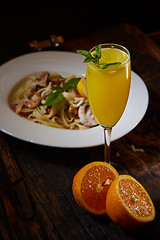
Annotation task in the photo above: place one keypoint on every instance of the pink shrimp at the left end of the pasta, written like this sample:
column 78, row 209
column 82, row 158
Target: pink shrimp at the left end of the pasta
column 31, row 101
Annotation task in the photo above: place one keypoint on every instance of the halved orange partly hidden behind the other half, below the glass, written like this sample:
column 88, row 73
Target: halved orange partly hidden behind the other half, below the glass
column 91, row 184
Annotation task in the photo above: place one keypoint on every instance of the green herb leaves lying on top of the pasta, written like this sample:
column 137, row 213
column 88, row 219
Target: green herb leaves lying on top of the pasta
column 57, row 96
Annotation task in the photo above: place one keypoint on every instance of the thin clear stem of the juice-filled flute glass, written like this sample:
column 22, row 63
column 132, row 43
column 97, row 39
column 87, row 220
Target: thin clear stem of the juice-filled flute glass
column 107, row 142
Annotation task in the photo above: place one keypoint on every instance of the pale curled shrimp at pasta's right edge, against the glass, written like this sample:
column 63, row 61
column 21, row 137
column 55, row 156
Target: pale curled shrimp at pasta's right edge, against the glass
column 86, row 116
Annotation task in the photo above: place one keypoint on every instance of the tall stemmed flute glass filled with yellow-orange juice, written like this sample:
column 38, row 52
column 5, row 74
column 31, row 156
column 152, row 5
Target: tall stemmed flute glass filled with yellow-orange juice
column 108, row 88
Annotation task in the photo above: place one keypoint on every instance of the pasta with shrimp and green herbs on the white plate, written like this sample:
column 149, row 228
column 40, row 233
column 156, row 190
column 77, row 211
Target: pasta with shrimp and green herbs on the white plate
column 52, row 100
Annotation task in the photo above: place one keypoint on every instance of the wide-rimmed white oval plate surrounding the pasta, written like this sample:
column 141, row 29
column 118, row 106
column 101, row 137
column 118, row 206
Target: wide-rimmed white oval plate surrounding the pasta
column 65, row 63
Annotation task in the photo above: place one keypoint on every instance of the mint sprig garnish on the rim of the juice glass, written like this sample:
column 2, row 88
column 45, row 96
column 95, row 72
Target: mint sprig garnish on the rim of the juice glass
column 96, row 57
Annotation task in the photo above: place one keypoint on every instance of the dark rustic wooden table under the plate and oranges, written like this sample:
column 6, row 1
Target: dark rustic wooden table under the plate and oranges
column 36, row 200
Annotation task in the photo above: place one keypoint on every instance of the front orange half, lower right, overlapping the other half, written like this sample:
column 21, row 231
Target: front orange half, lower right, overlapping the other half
column 128, row 203
